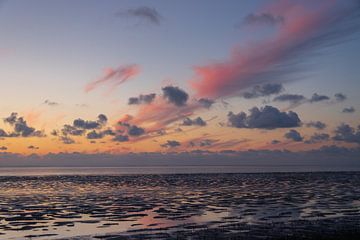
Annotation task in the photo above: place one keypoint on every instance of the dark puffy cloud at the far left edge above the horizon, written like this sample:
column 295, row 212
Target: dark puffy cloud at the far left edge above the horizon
column 21, row 128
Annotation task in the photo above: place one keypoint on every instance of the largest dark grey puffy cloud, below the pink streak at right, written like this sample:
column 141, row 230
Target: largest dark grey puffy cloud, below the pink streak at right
column 267, row 117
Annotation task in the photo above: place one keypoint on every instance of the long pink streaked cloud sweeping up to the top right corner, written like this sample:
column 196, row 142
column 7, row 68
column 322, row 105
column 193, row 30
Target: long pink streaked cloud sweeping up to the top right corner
column 309, row 28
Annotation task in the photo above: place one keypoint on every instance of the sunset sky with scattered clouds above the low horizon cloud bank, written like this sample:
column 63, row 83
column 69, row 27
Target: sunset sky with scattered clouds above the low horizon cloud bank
column 172, row 77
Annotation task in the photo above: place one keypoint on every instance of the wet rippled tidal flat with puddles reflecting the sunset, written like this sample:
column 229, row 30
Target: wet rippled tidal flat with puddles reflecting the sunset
column 181, row 206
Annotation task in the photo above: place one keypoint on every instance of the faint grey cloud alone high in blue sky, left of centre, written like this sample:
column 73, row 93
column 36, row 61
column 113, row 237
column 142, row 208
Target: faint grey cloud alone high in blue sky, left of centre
column 148, row 14
